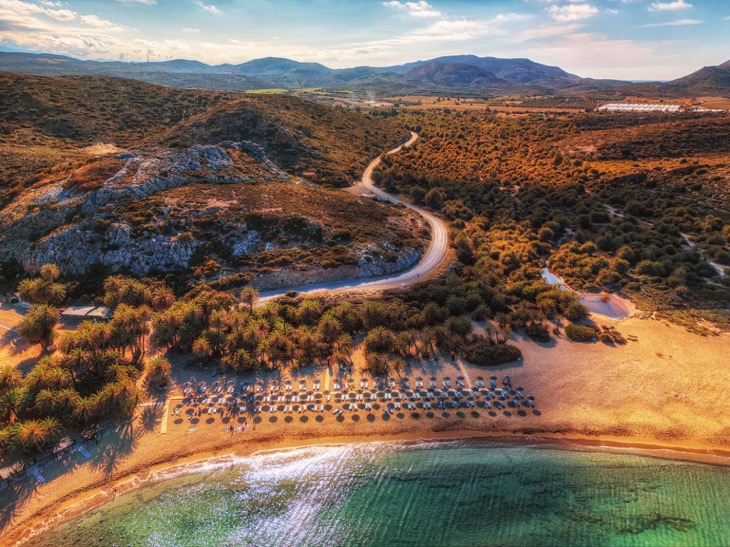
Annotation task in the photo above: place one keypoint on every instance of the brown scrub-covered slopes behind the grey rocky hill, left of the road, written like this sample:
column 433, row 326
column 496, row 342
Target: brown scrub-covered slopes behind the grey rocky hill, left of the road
column 42, row 116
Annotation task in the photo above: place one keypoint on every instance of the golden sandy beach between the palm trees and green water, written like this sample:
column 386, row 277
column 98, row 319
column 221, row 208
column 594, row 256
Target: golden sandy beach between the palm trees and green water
column 664, row 393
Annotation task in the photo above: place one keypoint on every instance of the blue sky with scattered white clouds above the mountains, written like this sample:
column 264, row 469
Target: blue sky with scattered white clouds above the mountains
column 623, row 39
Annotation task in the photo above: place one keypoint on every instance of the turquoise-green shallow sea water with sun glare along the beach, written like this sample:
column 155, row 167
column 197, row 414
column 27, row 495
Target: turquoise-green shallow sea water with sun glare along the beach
column 455, row 493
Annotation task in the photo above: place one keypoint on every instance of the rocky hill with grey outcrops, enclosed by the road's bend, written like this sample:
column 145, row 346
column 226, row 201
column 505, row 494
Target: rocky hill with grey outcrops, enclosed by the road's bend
column 218, row 212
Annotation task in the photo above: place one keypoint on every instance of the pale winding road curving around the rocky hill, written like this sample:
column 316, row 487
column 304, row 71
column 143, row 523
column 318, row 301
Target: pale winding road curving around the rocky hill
column 431, row 259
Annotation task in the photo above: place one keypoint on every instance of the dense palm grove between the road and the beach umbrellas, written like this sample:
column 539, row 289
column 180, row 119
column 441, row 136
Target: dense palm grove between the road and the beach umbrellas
column 99, row 369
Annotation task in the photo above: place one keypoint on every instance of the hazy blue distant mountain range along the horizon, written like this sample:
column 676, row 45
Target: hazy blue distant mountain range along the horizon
column 458, row 74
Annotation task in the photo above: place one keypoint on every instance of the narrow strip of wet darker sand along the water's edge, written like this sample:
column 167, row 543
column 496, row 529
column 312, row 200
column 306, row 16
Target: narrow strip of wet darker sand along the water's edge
column 77, row 503
